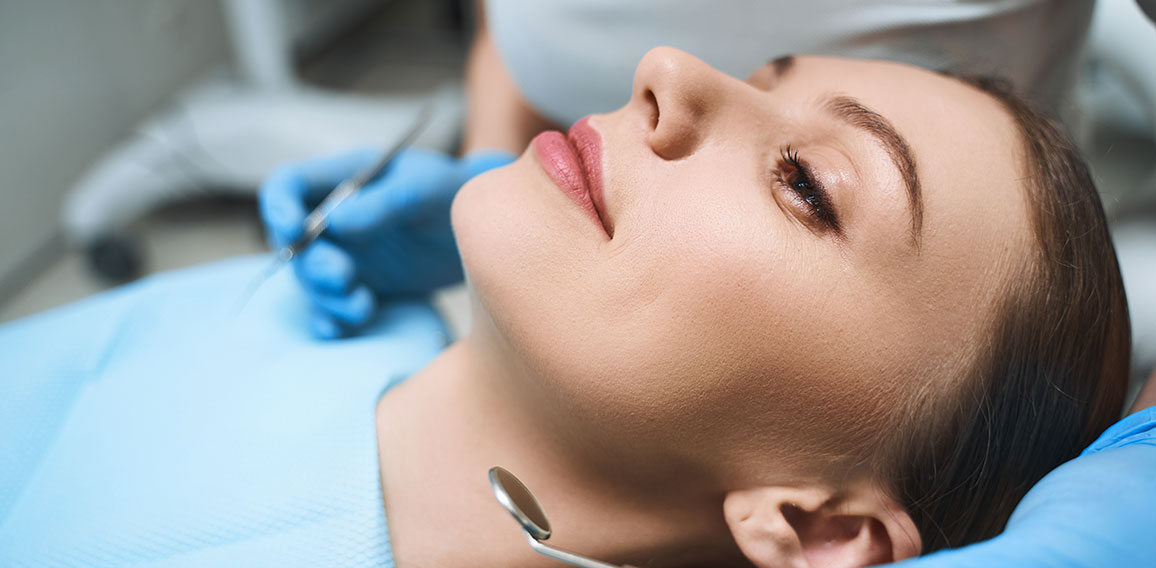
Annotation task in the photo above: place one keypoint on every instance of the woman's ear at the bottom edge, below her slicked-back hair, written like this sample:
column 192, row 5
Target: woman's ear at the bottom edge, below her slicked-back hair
column 817, row 527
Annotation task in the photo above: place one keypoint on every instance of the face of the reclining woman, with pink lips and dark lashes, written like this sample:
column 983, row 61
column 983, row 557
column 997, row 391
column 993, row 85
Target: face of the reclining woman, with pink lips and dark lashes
column 773, row 267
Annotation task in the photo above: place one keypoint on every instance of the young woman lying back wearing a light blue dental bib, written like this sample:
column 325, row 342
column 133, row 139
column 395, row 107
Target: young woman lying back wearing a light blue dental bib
column 839, row 314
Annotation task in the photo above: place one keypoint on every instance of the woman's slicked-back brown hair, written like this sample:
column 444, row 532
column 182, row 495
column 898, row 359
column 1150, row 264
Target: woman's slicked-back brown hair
column 1055, row 373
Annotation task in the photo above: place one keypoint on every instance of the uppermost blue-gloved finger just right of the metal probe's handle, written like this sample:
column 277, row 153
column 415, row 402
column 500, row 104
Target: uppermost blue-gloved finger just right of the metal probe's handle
column 410, row 185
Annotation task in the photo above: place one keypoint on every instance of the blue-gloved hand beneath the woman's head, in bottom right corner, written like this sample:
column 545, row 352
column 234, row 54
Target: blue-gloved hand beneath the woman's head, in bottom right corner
column 1098, row 511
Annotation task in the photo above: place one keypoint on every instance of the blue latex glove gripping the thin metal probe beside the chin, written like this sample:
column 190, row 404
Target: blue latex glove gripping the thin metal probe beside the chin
column 392, row 239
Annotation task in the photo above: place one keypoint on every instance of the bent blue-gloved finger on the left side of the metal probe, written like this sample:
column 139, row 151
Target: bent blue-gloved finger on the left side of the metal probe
column 291, row 191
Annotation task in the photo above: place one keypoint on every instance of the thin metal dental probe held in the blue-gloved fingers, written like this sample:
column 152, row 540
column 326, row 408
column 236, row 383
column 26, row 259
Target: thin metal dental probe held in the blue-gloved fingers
column 318, row 219
